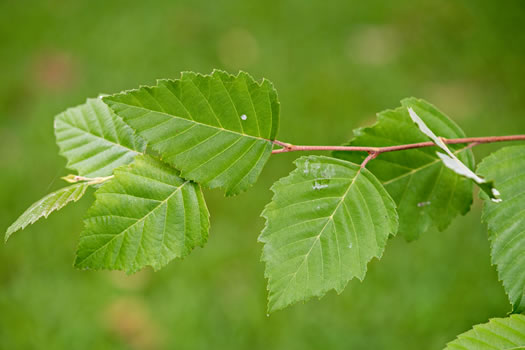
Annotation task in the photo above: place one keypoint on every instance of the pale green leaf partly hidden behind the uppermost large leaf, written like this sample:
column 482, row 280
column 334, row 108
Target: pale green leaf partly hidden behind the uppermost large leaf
column 94, row 140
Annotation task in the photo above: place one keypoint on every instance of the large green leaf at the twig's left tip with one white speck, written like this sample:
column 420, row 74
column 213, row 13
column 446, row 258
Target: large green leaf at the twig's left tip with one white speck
column 217, row 129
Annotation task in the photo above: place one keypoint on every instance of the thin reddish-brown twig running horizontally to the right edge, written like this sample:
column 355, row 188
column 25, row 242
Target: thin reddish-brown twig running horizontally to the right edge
column 472, row 141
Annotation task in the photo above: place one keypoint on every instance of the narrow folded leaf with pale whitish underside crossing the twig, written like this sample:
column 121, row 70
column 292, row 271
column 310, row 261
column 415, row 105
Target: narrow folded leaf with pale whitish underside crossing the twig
column 452, row 162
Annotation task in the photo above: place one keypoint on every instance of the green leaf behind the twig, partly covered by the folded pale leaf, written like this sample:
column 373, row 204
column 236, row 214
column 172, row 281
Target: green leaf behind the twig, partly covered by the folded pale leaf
column 426, row 192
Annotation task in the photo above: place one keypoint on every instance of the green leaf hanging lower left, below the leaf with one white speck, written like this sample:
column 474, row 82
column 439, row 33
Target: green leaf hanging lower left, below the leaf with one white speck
column 146, row 215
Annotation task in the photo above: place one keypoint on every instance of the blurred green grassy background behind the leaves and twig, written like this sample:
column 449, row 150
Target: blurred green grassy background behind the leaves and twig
column 335, row 64
